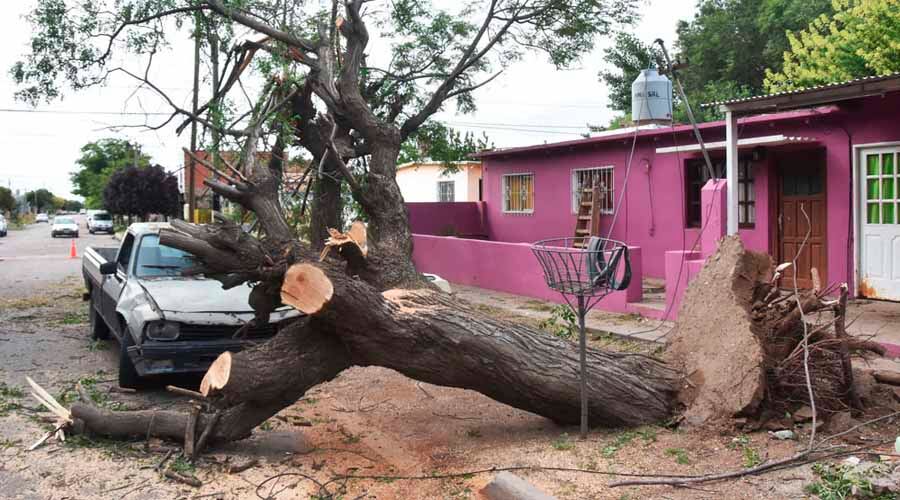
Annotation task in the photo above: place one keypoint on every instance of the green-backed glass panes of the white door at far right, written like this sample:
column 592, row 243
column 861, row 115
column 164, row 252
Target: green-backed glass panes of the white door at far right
column 881, row 188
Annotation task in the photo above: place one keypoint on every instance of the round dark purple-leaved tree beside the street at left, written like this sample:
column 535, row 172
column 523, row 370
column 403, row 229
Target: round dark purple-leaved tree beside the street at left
column 141, row 191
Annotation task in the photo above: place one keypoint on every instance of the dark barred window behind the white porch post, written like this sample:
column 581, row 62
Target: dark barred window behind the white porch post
column 698, row 175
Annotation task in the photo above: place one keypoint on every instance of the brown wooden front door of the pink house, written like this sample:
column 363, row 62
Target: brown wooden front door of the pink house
column 802, row 218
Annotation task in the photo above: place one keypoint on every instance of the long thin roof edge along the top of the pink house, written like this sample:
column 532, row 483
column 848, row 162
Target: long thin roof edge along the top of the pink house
column 641, row 132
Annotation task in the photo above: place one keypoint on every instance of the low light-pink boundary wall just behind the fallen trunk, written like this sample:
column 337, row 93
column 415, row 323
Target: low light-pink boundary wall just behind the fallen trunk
column 512, row 268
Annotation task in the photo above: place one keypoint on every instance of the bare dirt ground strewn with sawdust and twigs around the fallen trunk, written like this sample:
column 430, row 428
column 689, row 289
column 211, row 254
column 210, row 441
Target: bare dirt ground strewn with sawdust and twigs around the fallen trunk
column 367, row 422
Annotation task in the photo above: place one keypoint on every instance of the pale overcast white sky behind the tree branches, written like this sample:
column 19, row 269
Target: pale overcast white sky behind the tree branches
column 530, row 103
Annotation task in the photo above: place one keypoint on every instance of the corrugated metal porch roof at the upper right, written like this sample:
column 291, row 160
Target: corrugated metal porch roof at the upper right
column 812, row 96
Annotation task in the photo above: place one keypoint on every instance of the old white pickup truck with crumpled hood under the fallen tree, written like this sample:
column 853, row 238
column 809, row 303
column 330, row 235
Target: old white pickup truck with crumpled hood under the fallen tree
column 165, row 322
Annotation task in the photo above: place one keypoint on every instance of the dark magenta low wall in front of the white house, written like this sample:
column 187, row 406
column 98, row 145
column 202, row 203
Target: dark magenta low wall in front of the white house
column 465, row 218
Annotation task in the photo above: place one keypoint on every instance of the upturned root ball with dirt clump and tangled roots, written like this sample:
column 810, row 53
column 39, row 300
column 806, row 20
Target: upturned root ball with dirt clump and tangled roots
column 739, row 341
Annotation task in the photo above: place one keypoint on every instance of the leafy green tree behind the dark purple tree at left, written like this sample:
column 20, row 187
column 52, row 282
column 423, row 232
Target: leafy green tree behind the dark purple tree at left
column 98, row 161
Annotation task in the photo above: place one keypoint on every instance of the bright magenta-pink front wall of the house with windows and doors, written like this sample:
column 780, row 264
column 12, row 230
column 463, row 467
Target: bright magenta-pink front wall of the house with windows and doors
column 652, row 211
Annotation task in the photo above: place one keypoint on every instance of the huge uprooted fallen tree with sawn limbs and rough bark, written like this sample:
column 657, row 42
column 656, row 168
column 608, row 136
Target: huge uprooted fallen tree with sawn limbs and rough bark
column 364, row 302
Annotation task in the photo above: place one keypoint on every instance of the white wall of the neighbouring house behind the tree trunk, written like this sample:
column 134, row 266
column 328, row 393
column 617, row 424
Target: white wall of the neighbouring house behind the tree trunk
column 418, row 181
